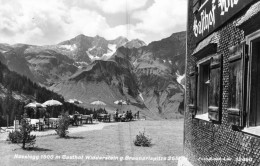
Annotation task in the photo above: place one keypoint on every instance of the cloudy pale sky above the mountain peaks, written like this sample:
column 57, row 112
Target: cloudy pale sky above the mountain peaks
column 46, row 22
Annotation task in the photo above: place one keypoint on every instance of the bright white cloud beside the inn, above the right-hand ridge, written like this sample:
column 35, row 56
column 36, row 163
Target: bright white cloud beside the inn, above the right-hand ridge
column 162, row 18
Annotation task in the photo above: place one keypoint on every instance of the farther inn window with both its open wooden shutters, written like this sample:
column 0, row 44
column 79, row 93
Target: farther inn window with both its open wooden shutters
column 207, row 88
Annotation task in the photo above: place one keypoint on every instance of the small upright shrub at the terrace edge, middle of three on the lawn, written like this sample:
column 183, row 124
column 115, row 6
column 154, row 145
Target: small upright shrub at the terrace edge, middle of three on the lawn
column 63, row 125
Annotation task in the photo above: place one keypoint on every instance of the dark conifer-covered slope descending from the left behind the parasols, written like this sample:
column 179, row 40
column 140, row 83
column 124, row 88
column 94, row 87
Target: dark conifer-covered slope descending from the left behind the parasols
column 16, row 91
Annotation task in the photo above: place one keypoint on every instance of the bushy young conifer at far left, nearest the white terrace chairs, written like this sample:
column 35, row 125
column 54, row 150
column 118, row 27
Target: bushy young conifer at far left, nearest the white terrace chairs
column 23, row 136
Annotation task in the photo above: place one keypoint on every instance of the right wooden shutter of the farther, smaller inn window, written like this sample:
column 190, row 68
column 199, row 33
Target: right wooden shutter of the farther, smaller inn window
column 215, row 89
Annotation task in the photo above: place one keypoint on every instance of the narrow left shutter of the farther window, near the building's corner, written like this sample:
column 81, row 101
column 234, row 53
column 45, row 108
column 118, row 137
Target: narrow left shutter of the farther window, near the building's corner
column 193, row 91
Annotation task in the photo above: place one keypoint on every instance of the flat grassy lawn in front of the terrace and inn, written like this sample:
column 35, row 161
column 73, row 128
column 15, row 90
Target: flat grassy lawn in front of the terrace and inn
column 113, row 144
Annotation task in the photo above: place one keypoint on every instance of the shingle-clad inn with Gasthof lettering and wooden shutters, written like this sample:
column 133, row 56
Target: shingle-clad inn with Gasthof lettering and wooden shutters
column 222, row 114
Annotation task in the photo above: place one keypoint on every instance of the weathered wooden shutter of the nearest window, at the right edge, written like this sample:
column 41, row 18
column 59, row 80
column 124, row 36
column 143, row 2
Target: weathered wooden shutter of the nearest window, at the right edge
column 237, row 84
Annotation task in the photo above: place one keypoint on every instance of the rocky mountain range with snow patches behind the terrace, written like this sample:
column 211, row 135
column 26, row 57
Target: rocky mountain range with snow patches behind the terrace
column 93, row 68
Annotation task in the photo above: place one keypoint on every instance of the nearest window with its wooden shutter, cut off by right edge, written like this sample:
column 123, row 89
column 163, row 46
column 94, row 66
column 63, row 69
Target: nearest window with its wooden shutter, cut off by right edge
column 244, row 88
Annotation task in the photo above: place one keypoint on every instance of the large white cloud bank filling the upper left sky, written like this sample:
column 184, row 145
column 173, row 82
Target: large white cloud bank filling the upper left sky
column 46, row 22
